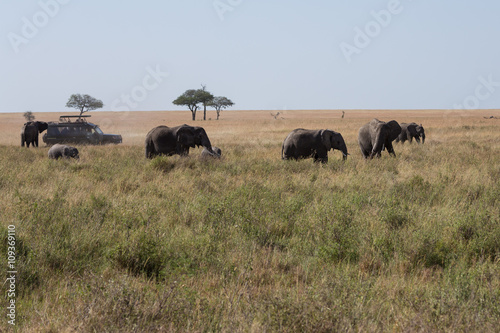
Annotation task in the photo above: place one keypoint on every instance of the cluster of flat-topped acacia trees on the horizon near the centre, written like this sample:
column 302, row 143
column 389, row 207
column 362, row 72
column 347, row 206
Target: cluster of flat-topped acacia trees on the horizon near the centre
column 194, row 98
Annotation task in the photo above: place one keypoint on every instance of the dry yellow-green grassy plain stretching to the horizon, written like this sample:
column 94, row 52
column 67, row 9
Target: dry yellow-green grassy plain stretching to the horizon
column 115, row 242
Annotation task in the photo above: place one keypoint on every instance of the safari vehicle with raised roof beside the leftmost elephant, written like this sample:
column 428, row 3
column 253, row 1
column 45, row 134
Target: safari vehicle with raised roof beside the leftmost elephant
column 76, row 129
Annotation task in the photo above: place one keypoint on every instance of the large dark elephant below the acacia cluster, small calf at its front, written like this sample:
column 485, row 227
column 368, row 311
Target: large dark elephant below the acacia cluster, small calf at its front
column 164, row 140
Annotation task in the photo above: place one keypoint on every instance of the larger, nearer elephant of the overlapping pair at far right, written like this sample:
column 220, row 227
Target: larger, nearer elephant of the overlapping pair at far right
column 376, row 136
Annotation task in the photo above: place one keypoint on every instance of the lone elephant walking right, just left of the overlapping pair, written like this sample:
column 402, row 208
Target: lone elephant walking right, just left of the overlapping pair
column 304, row 143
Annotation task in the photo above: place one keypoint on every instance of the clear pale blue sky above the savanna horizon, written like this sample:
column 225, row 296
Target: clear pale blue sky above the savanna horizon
column 273, row 55
